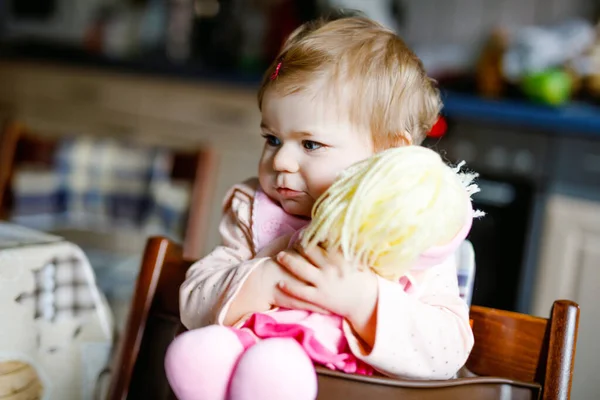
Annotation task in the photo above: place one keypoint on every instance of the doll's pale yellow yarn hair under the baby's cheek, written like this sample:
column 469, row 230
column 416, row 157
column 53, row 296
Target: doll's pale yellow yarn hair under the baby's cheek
column 388, row 209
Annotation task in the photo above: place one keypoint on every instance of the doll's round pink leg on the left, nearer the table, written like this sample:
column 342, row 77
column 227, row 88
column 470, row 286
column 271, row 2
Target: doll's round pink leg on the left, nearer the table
column 199, row 363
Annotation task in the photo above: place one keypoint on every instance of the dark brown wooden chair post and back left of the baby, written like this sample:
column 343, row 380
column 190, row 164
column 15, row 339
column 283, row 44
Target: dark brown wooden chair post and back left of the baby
column 153, row 322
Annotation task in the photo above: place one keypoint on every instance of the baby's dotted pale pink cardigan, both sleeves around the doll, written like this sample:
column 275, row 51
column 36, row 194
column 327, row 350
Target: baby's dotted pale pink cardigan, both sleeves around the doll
column 422, row 331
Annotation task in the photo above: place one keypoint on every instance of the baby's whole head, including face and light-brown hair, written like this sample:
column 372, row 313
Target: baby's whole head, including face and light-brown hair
column 338, row 92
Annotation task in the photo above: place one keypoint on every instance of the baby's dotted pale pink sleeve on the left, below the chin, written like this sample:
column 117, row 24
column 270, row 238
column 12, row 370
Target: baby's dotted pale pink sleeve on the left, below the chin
column 213, row 282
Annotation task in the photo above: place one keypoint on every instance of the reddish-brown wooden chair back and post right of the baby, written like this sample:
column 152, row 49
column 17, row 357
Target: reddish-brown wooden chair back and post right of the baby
column 527, row 348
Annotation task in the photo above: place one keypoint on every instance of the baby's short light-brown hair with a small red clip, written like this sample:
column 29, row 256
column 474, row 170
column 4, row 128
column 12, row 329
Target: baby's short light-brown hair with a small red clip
column 355, row 58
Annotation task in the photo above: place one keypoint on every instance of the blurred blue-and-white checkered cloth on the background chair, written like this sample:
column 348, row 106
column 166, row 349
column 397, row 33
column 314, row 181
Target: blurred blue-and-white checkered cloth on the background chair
column 102, row 182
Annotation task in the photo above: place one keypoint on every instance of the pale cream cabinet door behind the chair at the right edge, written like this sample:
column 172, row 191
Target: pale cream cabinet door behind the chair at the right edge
column 569, row 268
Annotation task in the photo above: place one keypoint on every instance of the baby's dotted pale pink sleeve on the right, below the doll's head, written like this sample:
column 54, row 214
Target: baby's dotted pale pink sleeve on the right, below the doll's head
column 422, row 332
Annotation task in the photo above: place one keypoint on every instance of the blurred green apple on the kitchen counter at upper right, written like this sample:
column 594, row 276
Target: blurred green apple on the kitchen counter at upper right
column 552, row 86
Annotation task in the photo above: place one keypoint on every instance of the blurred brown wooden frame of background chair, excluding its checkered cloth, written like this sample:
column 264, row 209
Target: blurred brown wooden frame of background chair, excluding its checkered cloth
column 19, row 146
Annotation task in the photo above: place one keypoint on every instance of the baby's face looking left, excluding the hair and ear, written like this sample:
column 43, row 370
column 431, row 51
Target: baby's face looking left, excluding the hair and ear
column 307, row 144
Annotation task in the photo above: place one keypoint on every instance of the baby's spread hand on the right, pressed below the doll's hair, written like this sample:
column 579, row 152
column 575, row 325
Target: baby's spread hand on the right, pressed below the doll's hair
column 328, row 281
